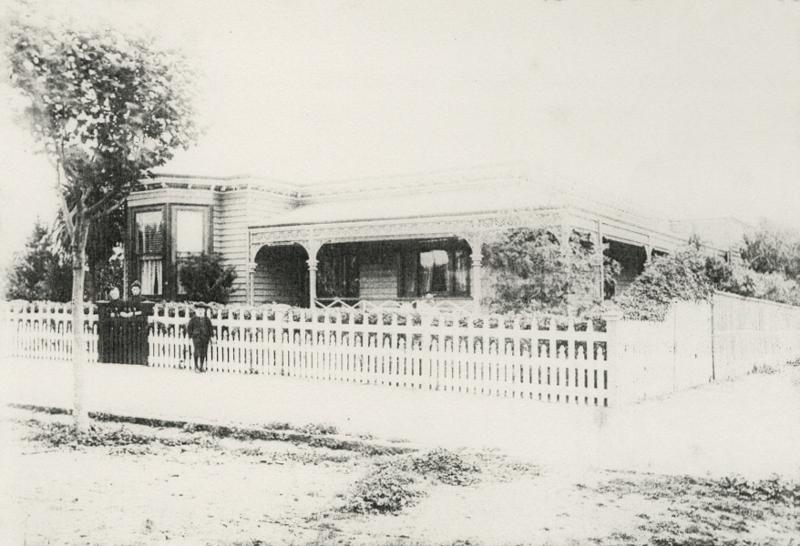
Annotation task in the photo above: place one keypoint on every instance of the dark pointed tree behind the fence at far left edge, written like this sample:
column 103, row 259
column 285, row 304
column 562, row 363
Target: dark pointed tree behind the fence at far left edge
column 39, row 273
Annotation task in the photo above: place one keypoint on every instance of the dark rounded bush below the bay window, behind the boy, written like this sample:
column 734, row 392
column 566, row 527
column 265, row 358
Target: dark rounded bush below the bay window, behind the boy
column 205, row 278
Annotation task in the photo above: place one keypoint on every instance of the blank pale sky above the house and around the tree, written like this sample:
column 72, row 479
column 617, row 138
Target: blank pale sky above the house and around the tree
column 691, row 108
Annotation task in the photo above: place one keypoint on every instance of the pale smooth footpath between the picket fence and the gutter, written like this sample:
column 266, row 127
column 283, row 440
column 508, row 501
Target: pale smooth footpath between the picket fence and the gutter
column 750, row 426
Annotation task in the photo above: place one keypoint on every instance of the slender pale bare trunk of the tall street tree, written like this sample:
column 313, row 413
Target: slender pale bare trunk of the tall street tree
column 80, row 412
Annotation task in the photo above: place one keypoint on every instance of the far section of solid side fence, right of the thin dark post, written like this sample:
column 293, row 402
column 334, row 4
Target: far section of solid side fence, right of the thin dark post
column 750, row 333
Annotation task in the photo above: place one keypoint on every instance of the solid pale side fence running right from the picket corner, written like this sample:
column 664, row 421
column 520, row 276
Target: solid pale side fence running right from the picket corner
column 725, row 338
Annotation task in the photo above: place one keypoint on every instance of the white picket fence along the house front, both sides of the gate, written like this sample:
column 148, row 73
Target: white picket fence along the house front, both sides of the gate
column 539, row 357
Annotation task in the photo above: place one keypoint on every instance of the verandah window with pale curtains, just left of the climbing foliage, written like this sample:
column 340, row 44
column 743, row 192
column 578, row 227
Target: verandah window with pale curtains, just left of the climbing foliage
column 441, row 269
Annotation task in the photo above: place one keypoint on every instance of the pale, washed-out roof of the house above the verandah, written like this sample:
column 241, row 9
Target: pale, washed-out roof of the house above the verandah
column 448, row 193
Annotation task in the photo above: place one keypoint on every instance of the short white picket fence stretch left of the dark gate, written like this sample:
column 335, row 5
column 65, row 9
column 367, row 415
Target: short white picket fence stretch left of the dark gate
column 43, row 330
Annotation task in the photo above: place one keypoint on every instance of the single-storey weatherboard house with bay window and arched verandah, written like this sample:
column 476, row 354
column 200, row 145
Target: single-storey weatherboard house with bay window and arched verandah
column 371, row 240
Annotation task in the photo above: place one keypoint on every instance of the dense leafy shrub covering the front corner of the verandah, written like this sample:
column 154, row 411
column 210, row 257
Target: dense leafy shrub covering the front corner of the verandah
column 530, row 271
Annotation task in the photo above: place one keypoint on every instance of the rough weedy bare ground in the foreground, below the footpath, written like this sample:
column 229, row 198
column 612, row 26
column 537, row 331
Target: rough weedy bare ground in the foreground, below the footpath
column 182, row 487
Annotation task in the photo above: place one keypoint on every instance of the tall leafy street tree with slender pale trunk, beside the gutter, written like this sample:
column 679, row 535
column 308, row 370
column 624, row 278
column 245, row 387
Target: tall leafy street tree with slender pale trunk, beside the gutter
column 106, row 109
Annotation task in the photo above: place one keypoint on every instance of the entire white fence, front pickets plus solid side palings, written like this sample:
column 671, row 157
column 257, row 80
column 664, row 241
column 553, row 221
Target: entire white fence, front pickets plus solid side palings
column 544, row 358
